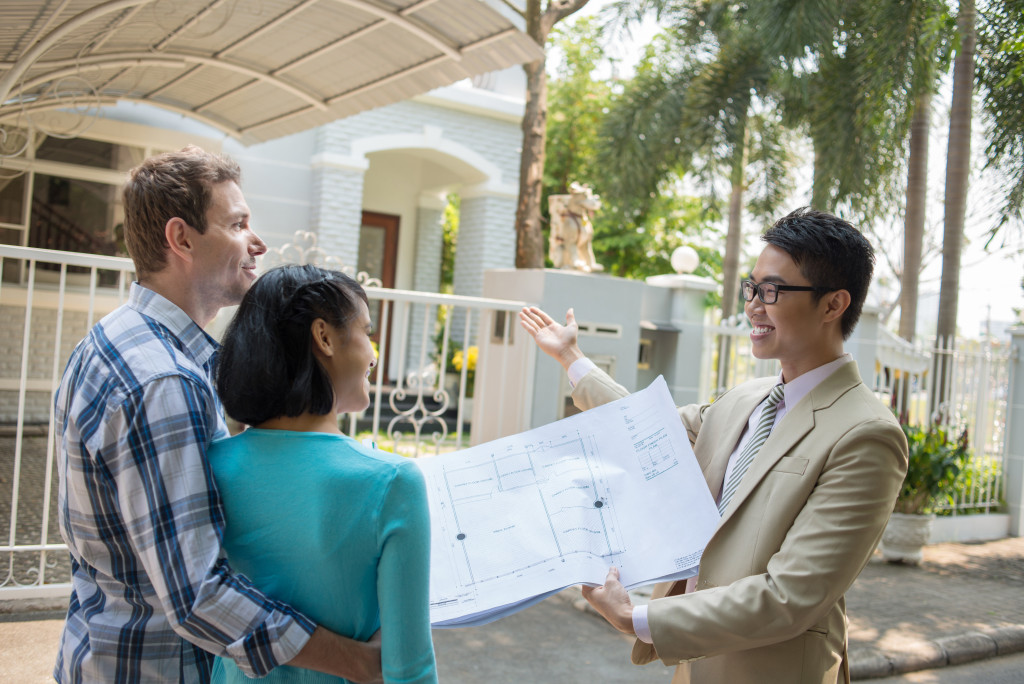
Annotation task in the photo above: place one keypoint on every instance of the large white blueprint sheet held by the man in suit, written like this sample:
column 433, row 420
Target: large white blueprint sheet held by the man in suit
column 525, row 517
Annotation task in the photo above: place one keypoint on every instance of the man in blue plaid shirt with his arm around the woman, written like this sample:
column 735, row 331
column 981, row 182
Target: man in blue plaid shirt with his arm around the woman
column 154, row 598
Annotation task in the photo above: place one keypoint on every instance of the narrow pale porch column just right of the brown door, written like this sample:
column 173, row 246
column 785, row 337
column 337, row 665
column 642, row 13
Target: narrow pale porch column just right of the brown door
column 428, row 278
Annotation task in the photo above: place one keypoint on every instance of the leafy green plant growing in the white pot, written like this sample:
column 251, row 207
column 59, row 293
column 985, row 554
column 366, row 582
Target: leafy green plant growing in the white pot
column 936, row 461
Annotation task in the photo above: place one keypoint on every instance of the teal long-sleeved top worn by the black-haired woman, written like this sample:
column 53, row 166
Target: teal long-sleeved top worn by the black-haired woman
column 337, row 531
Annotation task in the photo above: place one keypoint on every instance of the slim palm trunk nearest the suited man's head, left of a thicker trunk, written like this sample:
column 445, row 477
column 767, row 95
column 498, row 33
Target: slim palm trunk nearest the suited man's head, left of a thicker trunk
column 914, row 223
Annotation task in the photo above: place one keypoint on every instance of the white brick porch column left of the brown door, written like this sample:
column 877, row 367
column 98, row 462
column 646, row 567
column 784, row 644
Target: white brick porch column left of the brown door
column 337, row 210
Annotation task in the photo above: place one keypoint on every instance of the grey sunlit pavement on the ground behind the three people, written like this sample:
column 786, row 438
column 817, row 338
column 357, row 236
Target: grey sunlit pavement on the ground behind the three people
column 965, row 603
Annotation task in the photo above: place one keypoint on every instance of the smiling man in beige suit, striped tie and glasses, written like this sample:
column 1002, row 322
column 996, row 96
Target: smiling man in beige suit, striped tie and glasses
column 803, row 508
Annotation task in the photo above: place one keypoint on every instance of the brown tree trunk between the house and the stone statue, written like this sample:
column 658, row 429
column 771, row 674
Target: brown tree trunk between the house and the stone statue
column 530, row 237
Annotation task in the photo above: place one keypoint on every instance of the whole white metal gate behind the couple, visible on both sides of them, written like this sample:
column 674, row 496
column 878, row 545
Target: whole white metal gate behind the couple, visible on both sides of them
column 50, row 300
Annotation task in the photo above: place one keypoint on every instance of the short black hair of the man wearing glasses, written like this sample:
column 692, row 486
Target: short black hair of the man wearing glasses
column 831, row 253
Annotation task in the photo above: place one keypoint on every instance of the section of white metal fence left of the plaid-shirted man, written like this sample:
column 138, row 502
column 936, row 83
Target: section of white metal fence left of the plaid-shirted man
column 45, row 304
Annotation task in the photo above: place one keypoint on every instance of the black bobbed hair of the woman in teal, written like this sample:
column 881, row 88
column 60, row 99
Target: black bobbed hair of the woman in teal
column 267, row 367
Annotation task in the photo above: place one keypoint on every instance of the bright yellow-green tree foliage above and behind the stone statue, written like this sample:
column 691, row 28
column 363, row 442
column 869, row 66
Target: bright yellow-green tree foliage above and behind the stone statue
column 645, row 217
